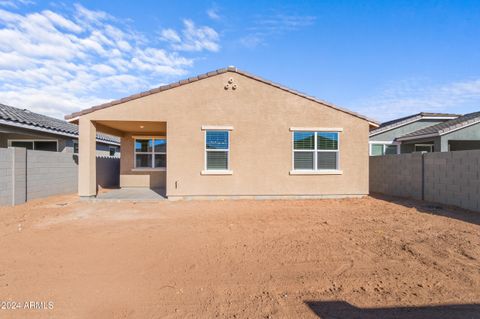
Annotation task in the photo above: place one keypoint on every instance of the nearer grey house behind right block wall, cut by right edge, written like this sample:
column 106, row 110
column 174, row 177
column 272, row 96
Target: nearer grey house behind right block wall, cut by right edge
column 462, row 133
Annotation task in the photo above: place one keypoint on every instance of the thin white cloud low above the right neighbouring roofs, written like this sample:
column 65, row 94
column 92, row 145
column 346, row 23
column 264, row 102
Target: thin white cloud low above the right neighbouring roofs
column 418, row 95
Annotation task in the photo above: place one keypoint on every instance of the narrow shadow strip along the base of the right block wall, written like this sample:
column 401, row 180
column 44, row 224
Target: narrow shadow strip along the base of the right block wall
column 433, row 208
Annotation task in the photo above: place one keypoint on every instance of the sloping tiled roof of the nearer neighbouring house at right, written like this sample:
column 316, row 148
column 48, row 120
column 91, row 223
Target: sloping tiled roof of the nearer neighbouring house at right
column 445, row 127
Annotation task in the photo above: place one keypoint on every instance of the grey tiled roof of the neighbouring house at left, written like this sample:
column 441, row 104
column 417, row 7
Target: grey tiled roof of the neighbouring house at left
column 35, row 121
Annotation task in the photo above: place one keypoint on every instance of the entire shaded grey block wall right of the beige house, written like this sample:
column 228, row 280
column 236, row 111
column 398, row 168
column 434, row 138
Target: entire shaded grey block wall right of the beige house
column 451, row 178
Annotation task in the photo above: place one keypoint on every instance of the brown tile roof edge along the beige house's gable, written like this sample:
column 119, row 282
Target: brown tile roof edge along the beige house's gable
column 207, row 75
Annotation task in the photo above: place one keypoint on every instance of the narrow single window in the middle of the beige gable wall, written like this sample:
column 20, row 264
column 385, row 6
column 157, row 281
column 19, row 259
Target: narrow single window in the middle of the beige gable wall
column 217, row 148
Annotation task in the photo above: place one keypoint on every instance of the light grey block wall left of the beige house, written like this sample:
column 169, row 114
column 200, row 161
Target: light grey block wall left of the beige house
column 27, row 174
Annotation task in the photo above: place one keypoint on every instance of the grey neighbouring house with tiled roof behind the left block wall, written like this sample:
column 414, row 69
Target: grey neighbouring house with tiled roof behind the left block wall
column 23, row 128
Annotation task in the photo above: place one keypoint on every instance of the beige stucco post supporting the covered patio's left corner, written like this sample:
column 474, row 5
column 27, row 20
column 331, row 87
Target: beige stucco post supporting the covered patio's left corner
column 87, row 175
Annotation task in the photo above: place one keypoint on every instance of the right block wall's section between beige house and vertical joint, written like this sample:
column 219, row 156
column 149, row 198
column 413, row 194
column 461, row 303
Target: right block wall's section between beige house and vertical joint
column 397, row 175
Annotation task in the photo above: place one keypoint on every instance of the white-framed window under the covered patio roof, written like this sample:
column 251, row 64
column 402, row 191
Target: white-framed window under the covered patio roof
column 150, row 153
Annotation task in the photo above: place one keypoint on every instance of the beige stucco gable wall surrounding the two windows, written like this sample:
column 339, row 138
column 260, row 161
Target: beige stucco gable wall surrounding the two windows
column 261, row 142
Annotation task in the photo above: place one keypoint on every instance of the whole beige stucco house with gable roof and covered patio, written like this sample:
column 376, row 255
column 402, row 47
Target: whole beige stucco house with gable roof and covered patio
column 228, row 133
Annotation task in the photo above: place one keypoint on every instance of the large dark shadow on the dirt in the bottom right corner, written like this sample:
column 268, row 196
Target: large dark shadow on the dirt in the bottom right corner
column 344, row 310
